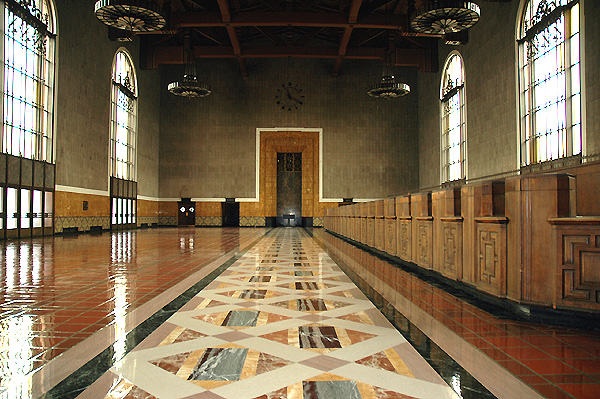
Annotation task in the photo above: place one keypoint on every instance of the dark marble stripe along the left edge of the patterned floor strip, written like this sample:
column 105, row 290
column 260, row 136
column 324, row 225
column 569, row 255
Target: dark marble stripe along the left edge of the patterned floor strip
column 80, row 380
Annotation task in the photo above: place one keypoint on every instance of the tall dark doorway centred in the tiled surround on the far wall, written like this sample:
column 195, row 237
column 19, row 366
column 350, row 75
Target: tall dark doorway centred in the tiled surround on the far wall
column 289, row 189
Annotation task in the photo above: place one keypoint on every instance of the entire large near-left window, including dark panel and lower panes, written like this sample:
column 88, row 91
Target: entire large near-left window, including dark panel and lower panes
column 27, row 109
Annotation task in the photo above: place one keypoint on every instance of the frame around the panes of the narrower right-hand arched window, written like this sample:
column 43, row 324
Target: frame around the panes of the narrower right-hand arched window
column 446, row 94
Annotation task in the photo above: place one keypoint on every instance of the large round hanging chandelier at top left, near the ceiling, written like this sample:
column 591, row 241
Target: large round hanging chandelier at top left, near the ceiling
column 132, row 15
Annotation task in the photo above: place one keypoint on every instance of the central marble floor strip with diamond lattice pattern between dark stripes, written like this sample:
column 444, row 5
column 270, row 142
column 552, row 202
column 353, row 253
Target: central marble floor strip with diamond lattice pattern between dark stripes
column 282, row 322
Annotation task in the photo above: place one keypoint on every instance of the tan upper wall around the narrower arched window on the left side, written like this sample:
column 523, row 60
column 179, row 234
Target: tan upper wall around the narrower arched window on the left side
column 83, row 82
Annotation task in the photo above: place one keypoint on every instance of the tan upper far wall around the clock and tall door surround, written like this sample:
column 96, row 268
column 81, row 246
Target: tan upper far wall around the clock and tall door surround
column 207, row 146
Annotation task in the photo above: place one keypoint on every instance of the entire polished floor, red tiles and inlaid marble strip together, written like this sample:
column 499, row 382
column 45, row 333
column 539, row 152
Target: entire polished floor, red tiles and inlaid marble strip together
column 259, row 313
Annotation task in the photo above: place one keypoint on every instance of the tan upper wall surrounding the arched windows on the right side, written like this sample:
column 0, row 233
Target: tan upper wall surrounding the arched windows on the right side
column 491, row 94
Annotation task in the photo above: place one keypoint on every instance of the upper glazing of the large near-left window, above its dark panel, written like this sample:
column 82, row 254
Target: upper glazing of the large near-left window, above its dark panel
column 28, row 81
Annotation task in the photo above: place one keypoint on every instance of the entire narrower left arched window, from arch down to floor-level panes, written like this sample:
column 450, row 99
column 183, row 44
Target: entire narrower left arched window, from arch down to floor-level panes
column 123, row 138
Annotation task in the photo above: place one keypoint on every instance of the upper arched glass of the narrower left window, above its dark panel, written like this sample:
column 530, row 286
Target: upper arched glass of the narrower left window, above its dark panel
column 123, row 117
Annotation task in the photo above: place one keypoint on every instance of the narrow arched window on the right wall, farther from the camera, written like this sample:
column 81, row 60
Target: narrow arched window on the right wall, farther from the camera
column 453, row 119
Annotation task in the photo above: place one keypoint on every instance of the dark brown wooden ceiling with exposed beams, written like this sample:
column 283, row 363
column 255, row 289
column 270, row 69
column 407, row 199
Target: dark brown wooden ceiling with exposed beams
column 335, row 29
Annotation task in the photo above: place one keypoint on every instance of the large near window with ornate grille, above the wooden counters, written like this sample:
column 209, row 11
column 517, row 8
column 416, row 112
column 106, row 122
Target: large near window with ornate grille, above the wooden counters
column 549, row 78
